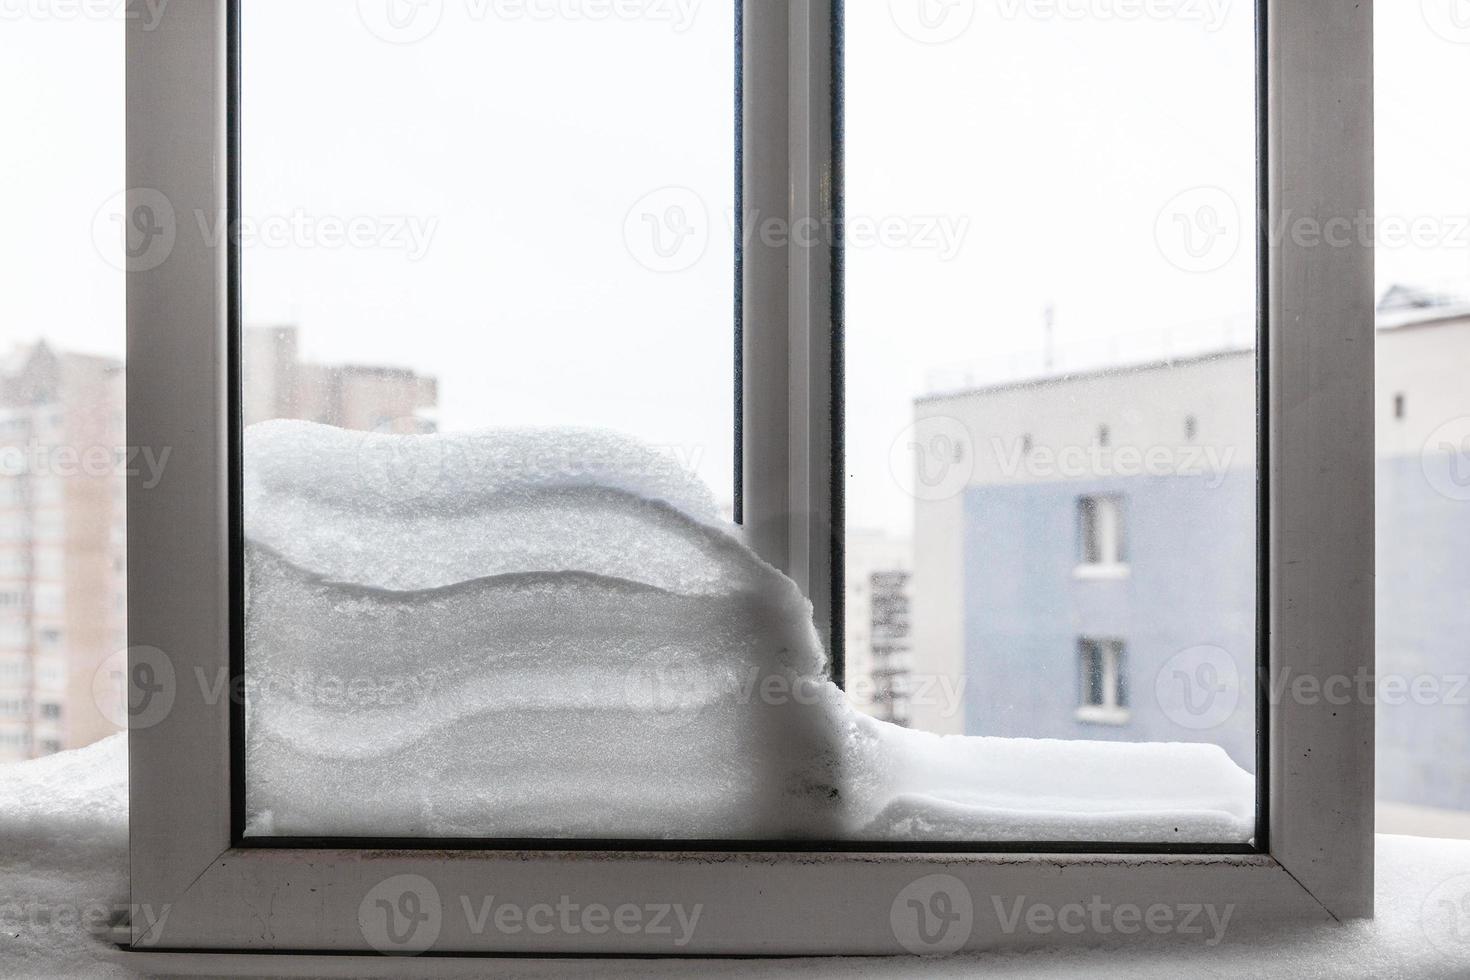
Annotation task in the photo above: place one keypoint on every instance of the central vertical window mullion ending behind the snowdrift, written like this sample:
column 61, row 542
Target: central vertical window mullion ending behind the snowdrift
column 787, row 281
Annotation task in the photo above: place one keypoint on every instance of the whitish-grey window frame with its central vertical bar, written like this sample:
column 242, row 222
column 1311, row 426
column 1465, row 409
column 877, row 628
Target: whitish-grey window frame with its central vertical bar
column 1318, row 372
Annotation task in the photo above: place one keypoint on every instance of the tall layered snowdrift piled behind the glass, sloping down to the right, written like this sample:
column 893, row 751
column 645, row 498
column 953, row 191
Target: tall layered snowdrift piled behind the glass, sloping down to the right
column 552, row 635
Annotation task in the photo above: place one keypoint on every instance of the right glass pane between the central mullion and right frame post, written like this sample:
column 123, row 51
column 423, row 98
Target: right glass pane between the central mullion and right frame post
column 1052, row 400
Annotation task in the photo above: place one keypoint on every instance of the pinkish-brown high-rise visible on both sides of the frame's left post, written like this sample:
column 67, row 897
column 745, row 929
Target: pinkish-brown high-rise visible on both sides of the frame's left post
column 64, row 465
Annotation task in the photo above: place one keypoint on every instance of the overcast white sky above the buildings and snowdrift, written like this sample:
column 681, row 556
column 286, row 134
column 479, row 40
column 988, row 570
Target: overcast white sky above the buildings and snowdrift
column 1033, row 161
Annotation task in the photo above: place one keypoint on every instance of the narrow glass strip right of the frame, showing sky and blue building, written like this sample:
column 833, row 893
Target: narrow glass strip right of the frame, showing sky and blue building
column 1424, row 425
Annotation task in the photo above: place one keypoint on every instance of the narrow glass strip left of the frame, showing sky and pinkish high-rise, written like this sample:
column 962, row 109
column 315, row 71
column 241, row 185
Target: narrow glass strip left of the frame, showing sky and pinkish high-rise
column 62, row 442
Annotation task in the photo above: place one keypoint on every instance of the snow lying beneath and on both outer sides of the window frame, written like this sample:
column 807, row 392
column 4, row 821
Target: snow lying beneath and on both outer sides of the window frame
column 64, row 872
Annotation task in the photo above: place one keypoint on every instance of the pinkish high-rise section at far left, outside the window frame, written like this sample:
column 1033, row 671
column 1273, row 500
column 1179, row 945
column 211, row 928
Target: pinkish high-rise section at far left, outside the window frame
column 62, row 561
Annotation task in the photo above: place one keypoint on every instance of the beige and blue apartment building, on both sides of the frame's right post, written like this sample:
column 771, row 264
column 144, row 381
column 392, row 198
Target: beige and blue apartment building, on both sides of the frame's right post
column 1094, row 577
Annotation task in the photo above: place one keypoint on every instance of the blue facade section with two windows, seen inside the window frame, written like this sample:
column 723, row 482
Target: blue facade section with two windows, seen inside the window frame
column 1034, row 612
